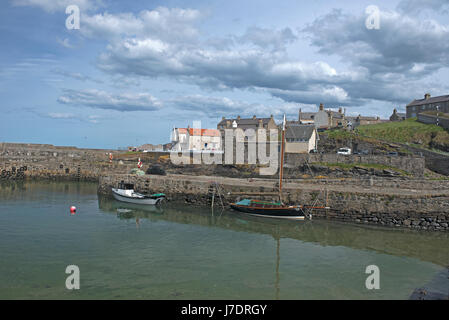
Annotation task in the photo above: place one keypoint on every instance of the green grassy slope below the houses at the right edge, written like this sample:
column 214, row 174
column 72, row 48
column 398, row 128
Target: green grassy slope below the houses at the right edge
column 409, row 131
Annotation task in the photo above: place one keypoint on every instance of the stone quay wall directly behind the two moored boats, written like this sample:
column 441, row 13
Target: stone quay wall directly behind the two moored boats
column 426, row 210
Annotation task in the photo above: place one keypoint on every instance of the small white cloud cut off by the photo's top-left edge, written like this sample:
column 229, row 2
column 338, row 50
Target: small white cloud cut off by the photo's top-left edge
column 59, row 5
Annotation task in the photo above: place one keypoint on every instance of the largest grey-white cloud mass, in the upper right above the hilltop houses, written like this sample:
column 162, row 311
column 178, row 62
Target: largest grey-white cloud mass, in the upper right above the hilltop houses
column 393, row 63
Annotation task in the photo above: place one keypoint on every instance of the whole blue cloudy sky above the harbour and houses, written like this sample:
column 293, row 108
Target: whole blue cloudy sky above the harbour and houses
column 136, row 69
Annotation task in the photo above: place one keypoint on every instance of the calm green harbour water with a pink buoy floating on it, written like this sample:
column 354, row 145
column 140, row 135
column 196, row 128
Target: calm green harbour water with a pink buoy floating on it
column 181, row 252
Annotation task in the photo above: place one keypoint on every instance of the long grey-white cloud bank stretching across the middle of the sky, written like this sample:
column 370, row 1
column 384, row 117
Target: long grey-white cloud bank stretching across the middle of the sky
column 213, row 68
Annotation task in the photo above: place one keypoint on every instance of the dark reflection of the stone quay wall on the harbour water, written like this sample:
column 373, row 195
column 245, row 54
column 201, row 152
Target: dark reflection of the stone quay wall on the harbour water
column 426, row 246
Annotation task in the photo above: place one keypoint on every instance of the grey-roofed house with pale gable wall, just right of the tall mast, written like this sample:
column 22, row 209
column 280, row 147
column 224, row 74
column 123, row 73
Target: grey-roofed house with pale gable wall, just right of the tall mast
column 300, row 138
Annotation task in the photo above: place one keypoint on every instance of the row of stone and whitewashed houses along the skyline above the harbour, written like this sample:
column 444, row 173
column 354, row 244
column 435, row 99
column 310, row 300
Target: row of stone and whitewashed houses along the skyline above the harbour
column 301, row 134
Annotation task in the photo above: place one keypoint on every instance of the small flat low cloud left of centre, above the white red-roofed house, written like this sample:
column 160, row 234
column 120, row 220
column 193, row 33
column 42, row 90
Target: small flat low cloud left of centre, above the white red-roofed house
column 103, row 100
